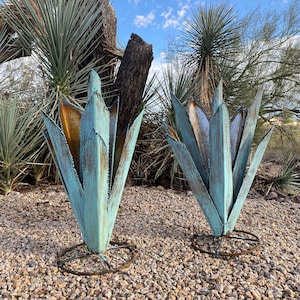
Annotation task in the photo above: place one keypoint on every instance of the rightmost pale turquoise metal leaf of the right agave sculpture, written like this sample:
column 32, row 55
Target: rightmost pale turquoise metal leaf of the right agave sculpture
column 247, row 182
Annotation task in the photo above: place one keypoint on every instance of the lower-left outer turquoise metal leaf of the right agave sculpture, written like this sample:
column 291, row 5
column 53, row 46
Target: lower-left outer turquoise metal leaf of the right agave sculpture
column 197, row 185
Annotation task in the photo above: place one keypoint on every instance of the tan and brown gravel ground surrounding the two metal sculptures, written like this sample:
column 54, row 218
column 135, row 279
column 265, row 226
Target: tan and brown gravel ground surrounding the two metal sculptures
column 38, row 224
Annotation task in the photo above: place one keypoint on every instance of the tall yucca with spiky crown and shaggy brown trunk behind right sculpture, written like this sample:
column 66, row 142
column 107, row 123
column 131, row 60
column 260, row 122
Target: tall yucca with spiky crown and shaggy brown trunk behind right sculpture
column 210, row 35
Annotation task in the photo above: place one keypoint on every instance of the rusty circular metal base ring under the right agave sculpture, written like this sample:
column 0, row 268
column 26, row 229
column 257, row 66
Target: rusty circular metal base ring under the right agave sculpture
column 235, row 243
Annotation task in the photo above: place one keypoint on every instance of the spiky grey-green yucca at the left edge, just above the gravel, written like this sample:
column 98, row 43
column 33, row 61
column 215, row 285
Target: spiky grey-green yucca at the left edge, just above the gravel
column 20, row 142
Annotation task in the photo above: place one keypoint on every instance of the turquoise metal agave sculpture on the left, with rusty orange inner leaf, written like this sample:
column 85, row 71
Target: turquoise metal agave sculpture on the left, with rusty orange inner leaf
column 85, row 154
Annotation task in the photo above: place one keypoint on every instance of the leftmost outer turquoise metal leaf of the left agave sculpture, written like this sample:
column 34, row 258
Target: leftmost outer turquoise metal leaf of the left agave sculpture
column 63, row 158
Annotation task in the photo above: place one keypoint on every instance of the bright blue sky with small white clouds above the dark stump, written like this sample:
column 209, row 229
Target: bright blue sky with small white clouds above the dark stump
column 158, row 21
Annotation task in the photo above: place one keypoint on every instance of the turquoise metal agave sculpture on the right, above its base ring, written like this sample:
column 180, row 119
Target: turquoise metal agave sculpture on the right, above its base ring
column 213, row 155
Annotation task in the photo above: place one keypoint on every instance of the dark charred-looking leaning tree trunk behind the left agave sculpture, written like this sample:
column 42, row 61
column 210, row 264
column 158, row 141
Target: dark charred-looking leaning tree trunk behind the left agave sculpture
column 131, row 80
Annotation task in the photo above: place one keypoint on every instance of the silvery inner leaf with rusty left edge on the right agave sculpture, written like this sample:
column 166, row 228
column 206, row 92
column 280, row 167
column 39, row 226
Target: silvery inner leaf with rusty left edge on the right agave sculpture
column 200, row 124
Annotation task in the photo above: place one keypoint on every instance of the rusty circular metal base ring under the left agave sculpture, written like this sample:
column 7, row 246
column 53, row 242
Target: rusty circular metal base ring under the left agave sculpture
column 109, row 262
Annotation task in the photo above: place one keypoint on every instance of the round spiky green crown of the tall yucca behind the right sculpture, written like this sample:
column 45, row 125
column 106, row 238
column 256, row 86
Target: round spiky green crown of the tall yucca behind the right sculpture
column 211, row 34
